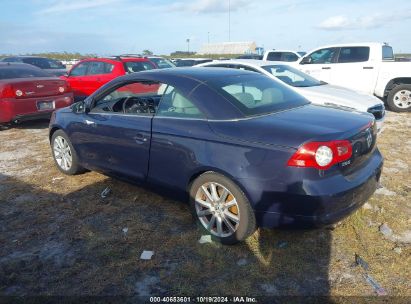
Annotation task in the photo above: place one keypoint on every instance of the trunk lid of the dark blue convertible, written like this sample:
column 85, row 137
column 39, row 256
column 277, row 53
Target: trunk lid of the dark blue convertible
column 293, row 127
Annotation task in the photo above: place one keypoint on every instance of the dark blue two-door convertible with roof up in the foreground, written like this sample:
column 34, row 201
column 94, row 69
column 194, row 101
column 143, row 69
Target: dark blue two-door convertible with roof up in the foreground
column 247, row 150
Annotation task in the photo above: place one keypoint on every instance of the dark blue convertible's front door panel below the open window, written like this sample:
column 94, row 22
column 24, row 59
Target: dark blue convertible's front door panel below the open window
column 115, row 143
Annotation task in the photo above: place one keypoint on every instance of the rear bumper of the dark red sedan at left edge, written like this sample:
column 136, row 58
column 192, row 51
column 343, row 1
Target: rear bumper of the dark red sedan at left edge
column 26, row 109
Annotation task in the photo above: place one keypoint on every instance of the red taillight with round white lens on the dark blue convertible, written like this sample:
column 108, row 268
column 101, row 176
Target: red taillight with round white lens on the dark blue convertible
column 321, row 155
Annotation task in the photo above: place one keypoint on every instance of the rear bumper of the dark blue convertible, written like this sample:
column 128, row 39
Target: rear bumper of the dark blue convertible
column 319, row 202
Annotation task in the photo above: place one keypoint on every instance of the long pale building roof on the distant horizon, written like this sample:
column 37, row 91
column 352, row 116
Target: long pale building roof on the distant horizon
column 225, row 48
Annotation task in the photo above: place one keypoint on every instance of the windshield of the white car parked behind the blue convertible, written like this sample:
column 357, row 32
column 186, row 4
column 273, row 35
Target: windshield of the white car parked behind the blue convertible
column 291, row 76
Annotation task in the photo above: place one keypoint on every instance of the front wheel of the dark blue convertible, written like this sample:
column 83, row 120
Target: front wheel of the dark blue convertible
column 64, row 154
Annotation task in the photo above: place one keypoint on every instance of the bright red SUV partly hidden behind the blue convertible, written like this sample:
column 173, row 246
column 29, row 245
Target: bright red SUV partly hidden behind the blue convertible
column 90, row 74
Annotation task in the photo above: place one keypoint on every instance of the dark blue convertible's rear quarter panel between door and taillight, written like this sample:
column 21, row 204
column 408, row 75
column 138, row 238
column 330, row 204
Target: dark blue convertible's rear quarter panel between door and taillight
column 182, row 149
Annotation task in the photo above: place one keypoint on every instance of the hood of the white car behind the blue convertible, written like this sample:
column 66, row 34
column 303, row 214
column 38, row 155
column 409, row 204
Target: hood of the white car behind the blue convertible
column 330, row 94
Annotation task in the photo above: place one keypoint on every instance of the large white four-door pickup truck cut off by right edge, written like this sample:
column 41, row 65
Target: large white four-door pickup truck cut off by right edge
column 363, row 67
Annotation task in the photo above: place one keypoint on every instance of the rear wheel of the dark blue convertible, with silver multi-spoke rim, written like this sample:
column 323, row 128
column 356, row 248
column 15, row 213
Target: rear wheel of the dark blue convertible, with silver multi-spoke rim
column 234, row 219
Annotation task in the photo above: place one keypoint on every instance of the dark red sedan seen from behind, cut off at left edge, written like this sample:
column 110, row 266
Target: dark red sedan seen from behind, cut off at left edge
column 27, row 92
